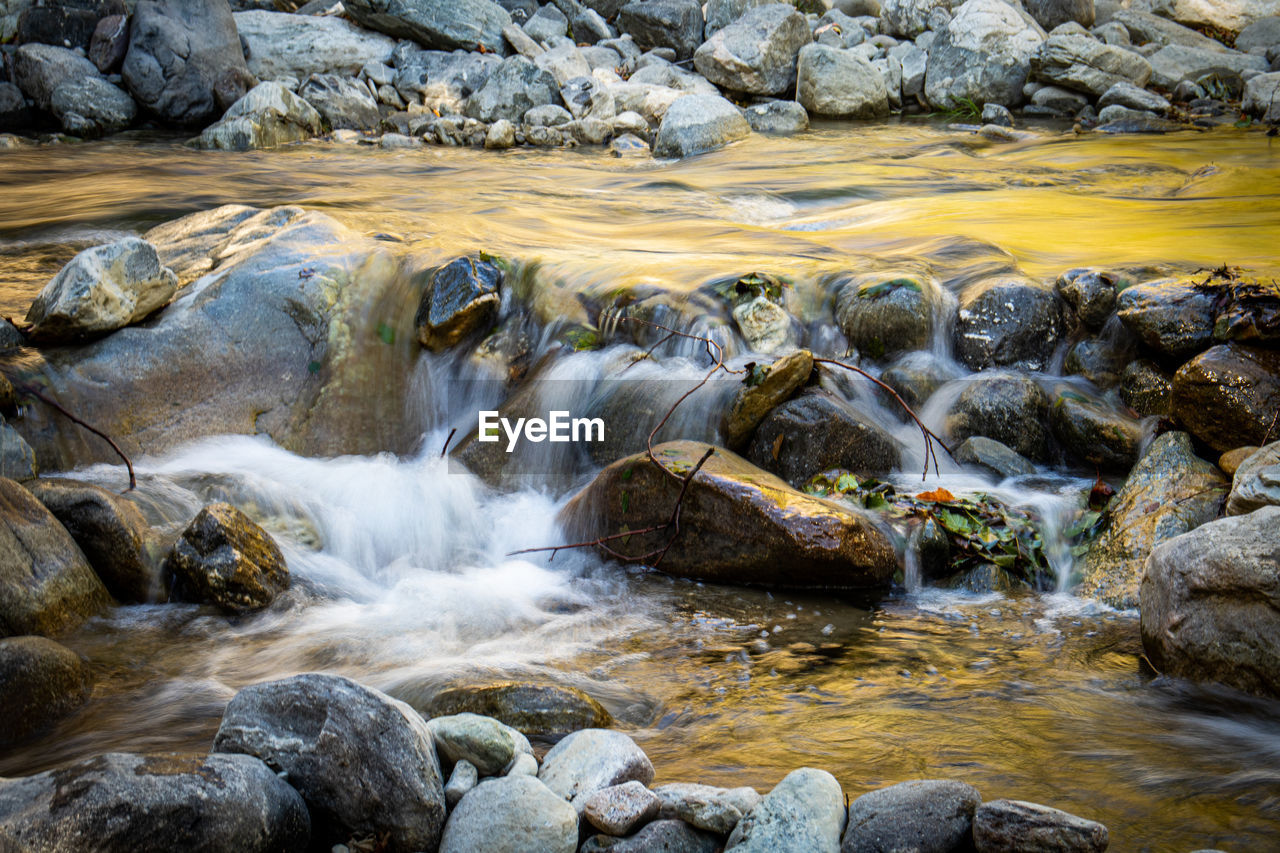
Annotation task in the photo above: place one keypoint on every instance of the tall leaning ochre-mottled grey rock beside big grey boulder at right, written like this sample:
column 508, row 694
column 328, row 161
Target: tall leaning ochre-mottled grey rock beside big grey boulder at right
column 1169, row 492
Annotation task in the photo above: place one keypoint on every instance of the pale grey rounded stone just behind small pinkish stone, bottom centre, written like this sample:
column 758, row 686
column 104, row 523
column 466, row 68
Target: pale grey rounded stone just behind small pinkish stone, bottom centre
column 592, row 760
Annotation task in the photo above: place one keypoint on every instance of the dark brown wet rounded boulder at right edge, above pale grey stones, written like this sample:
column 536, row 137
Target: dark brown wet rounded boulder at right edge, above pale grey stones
column 1228, row 395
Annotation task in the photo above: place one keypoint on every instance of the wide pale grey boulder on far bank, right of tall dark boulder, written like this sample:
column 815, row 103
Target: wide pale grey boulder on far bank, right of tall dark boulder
column 282, row 45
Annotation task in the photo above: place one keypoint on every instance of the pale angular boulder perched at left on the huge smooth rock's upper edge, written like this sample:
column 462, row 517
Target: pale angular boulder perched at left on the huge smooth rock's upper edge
column 102, row 290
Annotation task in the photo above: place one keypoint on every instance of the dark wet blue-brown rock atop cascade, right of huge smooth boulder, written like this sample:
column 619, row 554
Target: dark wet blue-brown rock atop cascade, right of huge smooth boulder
column 463, row 297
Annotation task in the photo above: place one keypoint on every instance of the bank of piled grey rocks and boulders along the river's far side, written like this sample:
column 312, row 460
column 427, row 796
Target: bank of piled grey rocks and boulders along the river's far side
column 668, row 76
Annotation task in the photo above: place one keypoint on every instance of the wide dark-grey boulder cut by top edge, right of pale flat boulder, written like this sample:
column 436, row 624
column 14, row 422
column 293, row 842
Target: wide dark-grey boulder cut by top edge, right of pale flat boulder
column 446, row 25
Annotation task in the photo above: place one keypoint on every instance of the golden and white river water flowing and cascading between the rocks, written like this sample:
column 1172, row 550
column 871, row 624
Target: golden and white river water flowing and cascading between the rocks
column 404, row 576
